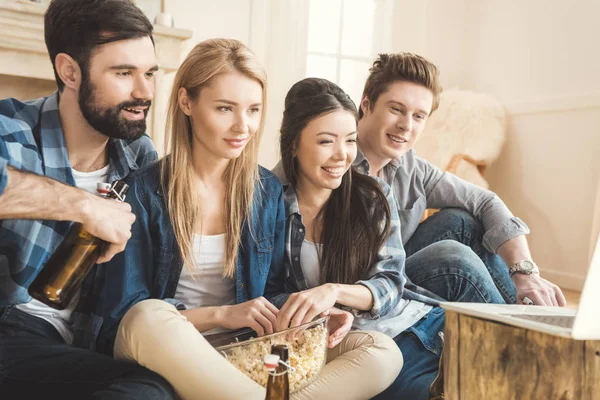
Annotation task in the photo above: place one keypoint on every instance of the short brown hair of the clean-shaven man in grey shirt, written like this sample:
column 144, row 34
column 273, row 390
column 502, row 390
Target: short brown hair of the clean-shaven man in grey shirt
column 408, row 67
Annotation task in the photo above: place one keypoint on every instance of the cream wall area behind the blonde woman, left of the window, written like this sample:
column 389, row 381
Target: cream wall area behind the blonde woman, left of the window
column 270, row 29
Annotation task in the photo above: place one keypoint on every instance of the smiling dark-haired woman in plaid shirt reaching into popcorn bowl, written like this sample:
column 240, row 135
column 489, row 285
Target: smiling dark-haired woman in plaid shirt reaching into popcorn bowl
column 343, row 240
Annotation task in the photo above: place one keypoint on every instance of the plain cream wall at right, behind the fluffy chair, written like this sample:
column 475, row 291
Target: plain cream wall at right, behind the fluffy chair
column 540, row 59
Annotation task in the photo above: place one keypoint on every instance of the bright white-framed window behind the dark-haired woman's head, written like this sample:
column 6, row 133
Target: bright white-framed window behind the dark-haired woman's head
column 344, row 36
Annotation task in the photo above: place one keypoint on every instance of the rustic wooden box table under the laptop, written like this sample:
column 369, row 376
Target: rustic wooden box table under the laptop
column 490, row 360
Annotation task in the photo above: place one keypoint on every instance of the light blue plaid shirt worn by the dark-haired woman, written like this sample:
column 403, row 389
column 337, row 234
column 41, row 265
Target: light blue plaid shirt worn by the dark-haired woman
column 386, row 279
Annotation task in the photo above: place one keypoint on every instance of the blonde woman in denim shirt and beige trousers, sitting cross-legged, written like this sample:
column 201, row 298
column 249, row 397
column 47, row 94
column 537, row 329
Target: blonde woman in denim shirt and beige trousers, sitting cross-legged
column 210, row 227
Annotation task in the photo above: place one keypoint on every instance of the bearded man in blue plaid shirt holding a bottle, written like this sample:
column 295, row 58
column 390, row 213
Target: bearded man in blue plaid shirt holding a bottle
column 53, row 153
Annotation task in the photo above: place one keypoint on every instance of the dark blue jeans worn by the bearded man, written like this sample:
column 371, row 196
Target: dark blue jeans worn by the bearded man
column 35, row 362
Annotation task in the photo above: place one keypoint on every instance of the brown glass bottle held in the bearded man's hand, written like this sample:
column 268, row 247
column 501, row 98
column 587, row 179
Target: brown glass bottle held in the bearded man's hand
column 62, row 275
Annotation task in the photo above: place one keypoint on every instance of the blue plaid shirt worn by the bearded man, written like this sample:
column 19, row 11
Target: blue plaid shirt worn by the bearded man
column 31, row 139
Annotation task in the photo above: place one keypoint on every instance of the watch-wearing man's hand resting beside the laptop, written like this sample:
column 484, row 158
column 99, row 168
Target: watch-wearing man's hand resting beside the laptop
column 539, row 290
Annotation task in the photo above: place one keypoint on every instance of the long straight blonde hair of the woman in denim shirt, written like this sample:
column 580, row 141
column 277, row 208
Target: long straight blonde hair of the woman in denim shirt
column 207, row 60
